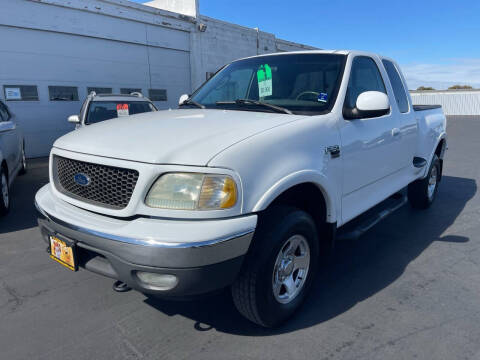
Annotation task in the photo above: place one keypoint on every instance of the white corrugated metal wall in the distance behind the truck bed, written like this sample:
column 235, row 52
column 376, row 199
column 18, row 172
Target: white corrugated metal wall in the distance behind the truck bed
column 453, row 102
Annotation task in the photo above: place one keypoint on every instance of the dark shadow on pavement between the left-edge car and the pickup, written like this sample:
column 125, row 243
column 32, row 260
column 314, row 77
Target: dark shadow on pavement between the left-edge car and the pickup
column 22, row 214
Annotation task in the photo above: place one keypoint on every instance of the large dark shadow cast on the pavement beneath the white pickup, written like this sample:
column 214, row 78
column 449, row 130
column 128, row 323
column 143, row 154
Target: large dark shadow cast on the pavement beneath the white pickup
column 355, row 271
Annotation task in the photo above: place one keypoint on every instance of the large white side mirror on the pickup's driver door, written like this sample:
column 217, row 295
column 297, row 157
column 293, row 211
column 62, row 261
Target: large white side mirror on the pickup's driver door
column 369, row 104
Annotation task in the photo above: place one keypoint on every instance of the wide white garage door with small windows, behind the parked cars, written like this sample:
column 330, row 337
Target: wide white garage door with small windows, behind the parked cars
column 44, row 58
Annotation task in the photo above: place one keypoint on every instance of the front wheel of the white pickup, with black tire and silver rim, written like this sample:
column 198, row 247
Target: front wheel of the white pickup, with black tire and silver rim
column 280, row 268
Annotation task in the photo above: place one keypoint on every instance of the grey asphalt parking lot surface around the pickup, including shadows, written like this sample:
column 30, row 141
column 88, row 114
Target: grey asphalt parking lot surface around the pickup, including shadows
column 407, row 289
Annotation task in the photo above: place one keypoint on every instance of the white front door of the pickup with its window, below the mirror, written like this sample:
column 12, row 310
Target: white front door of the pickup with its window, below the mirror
column 370, row 146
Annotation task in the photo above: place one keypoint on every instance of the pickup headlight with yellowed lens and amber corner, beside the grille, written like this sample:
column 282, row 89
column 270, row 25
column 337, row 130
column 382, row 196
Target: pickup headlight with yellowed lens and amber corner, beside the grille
column 184, row 191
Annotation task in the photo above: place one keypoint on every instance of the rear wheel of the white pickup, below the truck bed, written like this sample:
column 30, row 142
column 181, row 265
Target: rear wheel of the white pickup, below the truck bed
column 422, row 192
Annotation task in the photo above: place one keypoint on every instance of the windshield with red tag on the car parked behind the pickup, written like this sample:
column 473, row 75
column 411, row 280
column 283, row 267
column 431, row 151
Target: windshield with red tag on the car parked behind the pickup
column 105, row 110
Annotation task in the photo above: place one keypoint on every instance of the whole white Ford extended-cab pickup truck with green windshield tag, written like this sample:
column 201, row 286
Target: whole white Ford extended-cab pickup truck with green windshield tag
column 246, row 184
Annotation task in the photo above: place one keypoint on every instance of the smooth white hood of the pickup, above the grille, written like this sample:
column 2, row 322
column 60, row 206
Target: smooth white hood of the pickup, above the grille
column 186, row 136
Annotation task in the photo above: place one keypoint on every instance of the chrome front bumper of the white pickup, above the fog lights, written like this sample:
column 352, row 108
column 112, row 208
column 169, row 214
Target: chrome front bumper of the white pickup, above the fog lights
column 165, row 242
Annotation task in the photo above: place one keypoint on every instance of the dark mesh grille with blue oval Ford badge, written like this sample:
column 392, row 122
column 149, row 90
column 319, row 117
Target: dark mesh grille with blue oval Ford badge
column 106, row 186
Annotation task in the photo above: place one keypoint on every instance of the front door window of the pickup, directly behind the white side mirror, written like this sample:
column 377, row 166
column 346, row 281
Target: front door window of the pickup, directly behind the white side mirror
column 364, row 76
